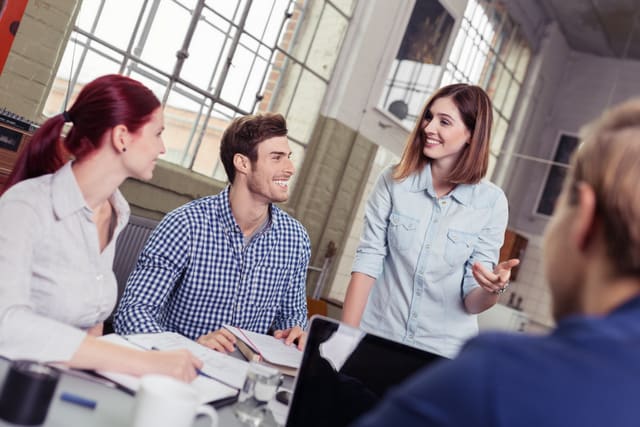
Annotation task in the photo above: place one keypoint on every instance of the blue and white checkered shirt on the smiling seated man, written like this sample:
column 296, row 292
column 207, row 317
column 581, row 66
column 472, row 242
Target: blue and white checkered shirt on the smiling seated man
column 195, row 274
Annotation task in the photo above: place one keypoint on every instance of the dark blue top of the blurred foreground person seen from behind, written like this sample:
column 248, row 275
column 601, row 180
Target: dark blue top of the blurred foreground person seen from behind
column 586, row 373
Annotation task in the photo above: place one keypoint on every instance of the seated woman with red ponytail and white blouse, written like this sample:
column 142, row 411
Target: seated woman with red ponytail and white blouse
column 60, row 220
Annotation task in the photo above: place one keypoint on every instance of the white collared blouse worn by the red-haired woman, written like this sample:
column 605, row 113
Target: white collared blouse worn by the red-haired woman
column 54, row 281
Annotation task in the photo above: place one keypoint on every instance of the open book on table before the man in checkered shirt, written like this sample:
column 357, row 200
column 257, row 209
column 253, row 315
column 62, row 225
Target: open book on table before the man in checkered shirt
column 267, row 349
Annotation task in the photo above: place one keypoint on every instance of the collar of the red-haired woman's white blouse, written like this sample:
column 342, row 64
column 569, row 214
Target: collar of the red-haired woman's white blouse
column 67, row 197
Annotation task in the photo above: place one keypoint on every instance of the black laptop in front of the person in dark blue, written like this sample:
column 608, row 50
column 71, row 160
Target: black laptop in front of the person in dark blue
column 345, row 372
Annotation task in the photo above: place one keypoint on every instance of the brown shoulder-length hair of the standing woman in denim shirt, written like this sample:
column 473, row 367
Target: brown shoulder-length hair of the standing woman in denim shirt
column 475, row 109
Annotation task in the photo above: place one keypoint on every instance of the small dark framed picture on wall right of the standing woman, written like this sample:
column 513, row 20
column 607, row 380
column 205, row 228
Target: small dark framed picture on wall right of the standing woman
column 566, row 144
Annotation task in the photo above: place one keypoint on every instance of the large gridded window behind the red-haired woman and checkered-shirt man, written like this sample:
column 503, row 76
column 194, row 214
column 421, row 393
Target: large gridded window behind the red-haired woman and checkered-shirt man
column 210, row 61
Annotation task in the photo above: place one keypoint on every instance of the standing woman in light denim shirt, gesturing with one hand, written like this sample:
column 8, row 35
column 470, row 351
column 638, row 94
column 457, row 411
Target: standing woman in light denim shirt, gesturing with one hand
column 427, row 259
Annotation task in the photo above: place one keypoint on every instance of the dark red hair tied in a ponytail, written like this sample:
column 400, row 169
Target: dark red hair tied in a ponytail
column 101, row 105
